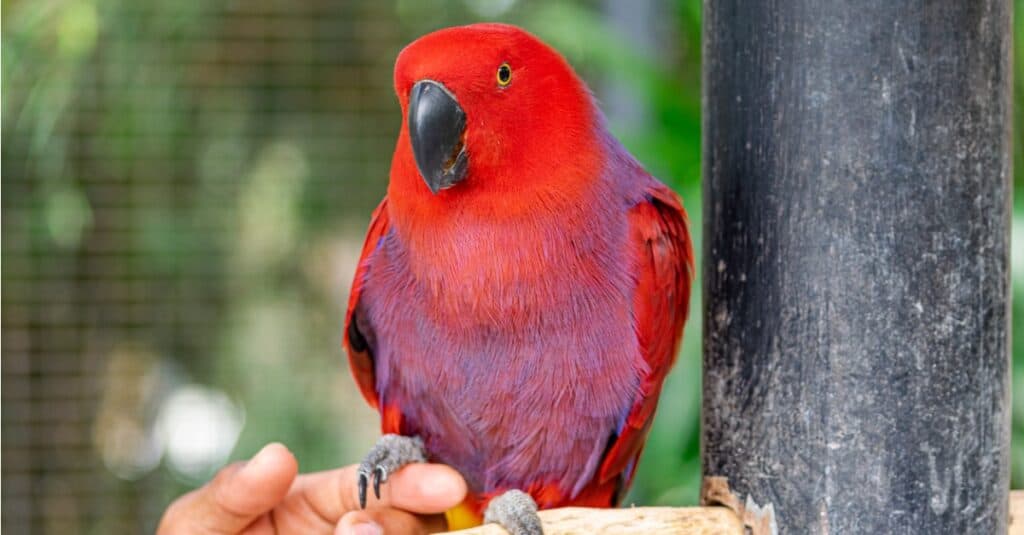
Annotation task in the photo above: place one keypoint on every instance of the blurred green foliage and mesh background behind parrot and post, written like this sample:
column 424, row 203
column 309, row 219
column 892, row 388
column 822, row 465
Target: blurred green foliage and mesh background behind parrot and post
column 186, row 190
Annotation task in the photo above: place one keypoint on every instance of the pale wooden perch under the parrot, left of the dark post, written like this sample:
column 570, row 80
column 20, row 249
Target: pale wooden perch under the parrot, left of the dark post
column 656, row 521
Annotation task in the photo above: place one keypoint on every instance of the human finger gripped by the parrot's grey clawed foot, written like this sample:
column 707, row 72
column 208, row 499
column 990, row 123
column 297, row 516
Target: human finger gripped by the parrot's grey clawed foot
column 418, row 488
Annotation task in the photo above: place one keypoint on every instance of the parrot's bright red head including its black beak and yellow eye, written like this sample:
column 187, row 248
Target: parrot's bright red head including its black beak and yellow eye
column 490, row 110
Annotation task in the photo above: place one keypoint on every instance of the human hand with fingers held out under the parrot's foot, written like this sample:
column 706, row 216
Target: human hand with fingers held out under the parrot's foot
column 267, row 497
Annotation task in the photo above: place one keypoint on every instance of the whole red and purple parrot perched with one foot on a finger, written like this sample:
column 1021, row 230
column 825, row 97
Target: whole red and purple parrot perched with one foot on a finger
column 524, row 286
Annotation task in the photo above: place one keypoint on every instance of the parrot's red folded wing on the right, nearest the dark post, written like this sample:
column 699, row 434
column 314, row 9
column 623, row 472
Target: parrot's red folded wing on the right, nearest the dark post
column 665, row 271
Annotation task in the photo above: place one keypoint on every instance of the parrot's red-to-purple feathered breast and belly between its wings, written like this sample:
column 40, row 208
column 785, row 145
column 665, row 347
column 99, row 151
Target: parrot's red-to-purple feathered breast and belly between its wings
column 509, row 347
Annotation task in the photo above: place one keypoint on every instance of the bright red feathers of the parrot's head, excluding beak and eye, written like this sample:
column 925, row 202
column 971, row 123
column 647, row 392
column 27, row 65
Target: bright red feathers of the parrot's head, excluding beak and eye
column 517, row 135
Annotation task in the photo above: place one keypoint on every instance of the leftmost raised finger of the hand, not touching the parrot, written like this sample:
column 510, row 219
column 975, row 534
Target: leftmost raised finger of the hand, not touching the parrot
column 237, row 497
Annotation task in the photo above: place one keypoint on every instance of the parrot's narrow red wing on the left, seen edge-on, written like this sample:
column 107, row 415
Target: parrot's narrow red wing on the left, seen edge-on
column 359, row 335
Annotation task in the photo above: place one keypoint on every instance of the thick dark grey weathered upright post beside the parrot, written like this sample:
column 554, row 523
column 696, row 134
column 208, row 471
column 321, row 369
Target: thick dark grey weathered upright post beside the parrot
column 858, row 211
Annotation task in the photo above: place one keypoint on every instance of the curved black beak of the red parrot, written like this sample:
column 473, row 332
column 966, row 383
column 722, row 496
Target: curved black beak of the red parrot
column 437, row 125
